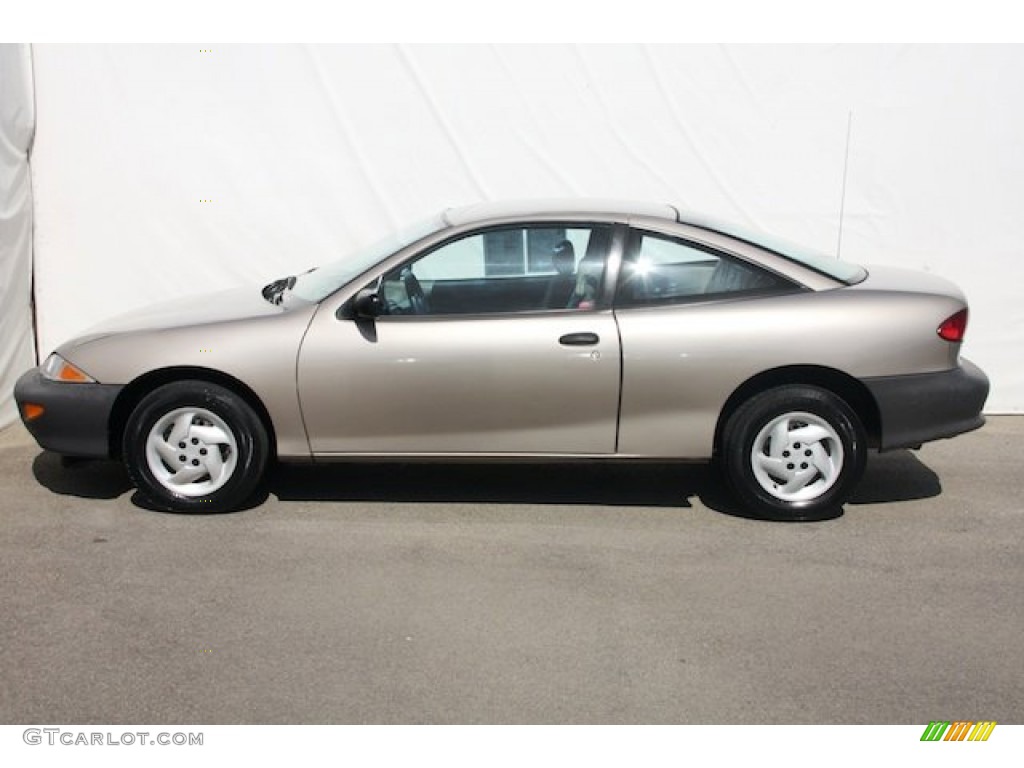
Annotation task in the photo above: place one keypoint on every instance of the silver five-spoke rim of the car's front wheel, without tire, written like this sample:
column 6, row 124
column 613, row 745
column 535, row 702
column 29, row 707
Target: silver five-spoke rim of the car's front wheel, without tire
column 192, row 452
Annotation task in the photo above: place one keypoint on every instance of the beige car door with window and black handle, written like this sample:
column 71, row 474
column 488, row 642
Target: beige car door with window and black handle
column 492, row 344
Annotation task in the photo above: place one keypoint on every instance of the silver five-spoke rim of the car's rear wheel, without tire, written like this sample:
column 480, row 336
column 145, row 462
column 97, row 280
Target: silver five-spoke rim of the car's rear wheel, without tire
column 797, row 457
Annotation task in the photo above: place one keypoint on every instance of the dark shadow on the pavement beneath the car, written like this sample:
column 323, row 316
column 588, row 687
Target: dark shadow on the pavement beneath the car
column 895, row 477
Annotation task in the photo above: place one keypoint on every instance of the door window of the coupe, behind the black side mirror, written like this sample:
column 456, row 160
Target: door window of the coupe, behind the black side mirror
column 510, row 270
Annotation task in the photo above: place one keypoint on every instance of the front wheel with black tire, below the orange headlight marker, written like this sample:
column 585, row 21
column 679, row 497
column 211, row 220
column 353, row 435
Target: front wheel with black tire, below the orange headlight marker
column 243, row 456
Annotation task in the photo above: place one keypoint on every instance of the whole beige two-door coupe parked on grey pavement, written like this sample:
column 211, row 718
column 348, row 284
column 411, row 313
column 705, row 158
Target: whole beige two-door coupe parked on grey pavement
column 556, row 331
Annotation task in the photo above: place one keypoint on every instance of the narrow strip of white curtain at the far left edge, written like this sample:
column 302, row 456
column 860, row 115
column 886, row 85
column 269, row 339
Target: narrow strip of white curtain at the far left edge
column 17, row 126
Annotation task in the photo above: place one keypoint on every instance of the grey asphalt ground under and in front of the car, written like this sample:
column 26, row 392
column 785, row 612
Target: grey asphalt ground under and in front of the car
column 511, row 594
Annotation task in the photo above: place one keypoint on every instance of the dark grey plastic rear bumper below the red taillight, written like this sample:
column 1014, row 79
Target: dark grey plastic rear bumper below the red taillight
column 920, row 408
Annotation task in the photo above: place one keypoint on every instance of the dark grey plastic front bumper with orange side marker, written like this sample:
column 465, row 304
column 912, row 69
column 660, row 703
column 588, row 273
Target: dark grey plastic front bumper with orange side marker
column 76, row 417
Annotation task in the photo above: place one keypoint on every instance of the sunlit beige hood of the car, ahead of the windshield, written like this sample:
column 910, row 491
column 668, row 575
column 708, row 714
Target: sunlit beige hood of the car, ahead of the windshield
column 237, row 304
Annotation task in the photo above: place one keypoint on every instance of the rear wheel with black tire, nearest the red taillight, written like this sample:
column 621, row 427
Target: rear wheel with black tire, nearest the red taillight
column 794, row 453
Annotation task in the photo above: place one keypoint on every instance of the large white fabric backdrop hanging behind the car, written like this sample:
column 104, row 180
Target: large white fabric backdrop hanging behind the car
column 162, row 172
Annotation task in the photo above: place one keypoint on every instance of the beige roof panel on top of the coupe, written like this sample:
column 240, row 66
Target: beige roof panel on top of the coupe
column 482, row 212
